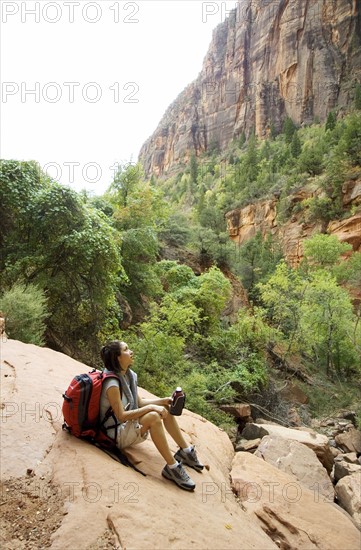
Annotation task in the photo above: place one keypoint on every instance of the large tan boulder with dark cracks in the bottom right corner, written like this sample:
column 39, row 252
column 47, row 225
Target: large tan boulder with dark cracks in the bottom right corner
column 293, row 516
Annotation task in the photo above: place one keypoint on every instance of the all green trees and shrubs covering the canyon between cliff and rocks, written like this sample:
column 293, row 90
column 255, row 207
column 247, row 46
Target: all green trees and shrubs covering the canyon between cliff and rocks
column 77, row 270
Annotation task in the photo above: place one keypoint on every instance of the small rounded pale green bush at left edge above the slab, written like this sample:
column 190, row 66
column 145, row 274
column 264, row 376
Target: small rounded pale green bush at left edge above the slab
column 25, row 309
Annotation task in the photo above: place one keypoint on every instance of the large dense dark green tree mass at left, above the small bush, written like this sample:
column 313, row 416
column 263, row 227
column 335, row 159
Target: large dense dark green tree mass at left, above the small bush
column 70, row 251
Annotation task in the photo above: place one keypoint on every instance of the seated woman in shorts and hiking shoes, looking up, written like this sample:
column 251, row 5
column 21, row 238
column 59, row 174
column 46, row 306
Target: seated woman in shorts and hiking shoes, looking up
column 135, row 417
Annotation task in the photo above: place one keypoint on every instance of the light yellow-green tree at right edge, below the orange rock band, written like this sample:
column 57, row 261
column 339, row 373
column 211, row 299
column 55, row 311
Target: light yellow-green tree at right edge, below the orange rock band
column 314, row 313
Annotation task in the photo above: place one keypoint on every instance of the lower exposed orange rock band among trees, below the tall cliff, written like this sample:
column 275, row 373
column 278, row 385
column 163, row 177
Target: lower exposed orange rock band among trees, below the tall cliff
column 244, row 223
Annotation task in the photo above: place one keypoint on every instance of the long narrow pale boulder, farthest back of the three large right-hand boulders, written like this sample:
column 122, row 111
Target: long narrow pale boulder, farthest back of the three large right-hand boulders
column 317, row 442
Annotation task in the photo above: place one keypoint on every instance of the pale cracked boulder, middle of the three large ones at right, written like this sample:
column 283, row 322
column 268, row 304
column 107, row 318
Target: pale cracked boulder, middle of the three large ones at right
column 298, row 460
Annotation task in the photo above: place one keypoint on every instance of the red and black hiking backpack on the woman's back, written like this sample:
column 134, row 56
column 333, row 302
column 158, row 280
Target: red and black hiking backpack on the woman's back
column 81, row 411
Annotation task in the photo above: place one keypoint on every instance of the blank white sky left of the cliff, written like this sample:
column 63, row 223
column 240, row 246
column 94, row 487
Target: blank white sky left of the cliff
column 123, row 70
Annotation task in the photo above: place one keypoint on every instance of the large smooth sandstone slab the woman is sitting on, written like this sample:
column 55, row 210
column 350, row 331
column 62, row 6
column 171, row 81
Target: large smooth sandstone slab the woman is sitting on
column 93, row 490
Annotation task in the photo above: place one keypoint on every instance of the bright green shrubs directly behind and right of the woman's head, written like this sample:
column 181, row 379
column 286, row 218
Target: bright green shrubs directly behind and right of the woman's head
column 183, row 343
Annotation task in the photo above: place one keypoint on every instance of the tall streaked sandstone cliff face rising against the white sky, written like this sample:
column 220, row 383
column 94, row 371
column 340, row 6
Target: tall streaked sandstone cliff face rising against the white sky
column 269, row 59
